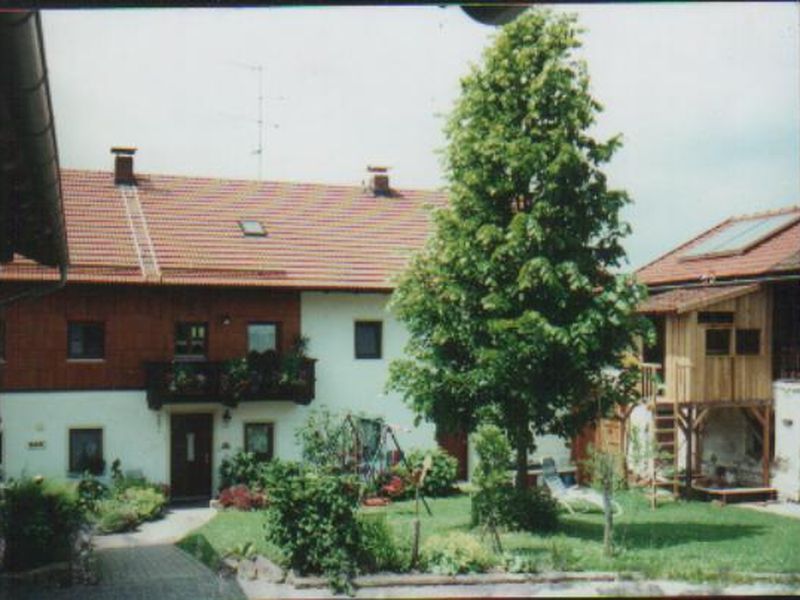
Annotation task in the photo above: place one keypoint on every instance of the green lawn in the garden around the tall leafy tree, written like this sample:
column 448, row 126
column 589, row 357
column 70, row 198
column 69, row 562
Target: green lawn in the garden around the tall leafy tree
column 684, row 540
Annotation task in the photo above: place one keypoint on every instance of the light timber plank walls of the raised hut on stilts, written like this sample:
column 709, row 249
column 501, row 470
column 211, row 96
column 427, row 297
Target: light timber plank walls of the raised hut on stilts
column 694, row 377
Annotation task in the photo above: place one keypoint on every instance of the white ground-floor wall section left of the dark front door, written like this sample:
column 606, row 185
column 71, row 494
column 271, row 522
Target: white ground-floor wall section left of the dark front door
column 133, row 433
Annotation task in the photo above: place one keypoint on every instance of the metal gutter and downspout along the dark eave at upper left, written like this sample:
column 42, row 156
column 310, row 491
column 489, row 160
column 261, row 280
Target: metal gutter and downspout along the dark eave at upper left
column 34, row 114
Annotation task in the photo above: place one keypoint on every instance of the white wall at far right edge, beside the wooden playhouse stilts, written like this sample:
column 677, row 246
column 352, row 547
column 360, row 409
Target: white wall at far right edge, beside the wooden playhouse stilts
column 786, row 467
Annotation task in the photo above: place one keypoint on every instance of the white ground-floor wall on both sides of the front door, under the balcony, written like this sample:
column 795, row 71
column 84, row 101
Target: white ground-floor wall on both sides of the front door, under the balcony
column 133, row 433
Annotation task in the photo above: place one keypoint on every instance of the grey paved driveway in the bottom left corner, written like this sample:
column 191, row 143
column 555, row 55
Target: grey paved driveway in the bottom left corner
column 138, row 573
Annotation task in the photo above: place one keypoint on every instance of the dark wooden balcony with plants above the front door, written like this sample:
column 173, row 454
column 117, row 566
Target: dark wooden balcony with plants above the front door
column 203, row 381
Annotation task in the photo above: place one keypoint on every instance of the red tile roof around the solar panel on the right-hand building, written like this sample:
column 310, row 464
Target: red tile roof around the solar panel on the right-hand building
column 778, row 253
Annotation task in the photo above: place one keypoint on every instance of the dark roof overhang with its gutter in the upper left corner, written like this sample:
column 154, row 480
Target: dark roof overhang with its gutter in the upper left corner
column 23, row 74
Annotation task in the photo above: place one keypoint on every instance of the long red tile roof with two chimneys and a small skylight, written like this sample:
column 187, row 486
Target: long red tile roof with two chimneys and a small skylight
column 318, row 236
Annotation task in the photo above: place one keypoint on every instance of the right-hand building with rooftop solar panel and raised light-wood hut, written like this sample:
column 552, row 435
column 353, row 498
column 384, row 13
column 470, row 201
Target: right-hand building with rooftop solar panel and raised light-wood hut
column 725, row 408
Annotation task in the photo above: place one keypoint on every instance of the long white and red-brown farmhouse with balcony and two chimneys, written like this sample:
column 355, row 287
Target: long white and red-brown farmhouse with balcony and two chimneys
column 172, row 279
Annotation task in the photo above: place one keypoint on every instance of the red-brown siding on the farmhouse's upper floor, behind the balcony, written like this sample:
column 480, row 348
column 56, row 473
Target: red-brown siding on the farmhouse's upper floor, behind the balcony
column 139, row 326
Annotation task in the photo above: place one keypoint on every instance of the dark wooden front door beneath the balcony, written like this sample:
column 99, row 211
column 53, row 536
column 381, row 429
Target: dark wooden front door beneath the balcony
column 190, row 451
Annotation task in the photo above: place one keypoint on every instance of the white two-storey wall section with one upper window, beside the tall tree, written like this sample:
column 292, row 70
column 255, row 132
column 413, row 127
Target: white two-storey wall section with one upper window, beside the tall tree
column 345, row 383
